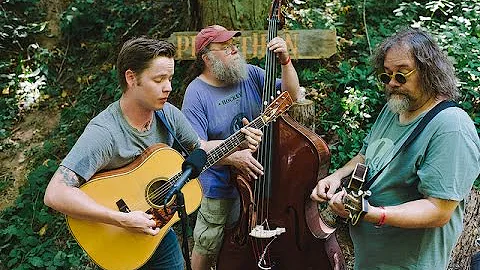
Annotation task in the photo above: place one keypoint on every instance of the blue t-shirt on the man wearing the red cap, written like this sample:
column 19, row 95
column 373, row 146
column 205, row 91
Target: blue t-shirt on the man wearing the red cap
column 216, row 113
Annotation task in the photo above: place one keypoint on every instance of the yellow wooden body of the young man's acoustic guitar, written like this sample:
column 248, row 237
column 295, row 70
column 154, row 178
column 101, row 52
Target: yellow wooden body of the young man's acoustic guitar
column 112, row 247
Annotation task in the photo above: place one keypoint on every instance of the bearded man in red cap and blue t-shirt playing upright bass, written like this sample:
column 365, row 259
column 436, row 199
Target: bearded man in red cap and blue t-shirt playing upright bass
column 224, row 94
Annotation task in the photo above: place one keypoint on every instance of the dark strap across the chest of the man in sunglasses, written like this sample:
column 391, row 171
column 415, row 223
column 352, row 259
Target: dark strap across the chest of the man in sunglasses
column 418, row 129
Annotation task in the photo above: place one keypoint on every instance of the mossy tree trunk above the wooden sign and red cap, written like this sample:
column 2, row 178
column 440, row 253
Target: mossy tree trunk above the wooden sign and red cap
column 234, row 14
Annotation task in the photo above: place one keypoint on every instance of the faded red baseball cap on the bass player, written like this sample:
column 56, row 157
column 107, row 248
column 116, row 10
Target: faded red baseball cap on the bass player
column 213, row 33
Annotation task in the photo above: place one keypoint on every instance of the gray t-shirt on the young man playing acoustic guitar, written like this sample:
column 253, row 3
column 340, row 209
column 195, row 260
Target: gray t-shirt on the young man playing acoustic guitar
column 109, row 141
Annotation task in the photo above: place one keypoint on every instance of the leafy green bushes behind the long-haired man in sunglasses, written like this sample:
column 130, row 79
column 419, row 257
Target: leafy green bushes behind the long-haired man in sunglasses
column 341, row 83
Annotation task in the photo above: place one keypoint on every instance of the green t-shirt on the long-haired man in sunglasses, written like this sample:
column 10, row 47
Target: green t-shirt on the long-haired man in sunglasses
column 442, row 162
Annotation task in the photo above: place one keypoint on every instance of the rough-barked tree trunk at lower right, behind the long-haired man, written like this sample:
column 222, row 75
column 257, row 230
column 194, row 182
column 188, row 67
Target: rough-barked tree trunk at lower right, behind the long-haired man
column 466, row 247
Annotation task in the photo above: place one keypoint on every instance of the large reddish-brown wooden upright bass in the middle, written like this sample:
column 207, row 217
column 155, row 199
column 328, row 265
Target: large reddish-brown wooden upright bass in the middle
column 272, row 232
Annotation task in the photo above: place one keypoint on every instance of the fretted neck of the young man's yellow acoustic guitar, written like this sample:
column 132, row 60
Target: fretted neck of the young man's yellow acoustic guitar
column 229, row 144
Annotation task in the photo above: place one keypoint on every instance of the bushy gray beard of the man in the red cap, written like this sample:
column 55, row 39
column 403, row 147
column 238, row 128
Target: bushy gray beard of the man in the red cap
column 233, row 72
